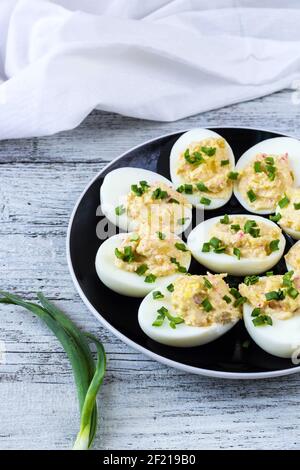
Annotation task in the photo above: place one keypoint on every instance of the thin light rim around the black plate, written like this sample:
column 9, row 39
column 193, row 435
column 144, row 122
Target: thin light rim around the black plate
column 124, row 338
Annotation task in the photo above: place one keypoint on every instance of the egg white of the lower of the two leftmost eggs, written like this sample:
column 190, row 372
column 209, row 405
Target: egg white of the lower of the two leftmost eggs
column 124, row 282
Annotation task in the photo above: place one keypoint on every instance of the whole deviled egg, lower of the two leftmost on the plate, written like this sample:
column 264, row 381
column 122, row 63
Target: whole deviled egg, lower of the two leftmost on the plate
column 135, row 263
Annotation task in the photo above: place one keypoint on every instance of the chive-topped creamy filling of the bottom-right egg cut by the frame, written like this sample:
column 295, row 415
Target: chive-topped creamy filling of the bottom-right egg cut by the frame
column 272, row 296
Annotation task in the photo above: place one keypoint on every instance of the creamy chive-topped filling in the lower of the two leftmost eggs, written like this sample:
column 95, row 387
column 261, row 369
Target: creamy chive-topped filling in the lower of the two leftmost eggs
column 152, row 255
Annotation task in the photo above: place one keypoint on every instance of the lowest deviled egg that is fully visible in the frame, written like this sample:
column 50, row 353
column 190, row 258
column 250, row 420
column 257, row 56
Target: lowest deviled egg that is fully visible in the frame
column 191, row 311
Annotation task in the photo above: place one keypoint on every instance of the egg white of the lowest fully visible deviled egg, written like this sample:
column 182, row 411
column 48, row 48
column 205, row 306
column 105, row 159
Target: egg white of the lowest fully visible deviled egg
column 183, row 336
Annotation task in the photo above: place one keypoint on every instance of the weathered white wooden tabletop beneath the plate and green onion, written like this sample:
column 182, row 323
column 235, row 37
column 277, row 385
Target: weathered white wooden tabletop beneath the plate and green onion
column 143, row 405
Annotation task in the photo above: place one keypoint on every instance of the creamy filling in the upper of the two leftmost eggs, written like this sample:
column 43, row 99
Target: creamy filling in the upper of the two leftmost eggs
column 158, row 205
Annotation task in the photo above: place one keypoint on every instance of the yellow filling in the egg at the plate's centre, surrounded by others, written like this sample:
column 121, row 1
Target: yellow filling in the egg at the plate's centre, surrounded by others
column 250, row 246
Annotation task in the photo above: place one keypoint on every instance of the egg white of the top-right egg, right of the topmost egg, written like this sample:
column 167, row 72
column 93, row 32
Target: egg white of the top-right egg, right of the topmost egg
column 275, row 146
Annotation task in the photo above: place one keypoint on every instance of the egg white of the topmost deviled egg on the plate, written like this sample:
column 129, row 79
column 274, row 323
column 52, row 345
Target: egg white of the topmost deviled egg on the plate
column 196, row 135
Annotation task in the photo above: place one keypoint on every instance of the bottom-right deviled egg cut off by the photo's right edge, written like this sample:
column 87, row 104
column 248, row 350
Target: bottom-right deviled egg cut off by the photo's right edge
column 272, row 313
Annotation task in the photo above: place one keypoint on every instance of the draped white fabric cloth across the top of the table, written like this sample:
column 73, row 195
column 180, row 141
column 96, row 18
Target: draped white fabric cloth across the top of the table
column 153, row 59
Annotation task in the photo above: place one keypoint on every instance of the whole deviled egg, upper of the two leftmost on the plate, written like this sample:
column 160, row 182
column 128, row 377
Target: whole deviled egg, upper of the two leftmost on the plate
column 134, row 196
